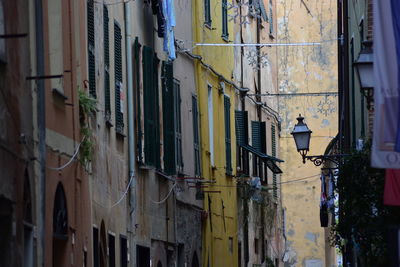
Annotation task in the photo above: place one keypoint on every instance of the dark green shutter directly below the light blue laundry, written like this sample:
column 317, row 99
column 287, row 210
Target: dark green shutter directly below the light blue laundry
column 168, row 118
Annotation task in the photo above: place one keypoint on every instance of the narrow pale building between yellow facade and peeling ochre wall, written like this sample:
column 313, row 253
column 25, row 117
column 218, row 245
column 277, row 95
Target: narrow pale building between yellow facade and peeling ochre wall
column 257, row 123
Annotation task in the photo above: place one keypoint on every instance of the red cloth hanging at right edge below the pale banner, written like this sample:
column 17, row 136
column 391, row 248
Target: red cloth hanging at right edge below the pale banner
column 391, row 196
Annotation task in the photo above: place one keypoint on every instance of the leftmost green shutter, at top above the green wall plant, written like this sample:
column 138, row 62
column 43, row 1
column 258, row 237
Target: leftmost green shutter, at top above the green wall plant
column 91, row 48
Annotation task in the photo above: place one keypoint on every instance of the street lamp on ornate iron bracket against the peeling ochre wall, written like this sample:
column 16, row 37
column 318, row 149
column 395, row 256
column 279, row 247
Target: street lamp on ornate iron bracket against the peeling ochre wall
column 302, row 135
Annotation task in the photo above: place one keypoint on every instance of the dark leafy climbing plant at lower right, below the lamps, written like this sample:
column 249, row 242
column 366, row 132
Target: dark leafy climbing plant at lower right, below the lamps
column 363, row 218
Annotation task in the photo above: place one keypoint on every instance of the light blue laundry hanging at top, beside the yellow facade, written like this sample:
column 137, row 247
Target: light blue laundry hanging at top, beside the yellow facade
column 169, row 38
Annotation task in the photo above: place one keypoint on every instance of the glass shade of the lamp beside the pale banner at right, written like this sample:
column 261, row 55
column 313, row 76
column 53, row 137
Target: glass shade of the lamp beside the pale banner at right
column 365, row 70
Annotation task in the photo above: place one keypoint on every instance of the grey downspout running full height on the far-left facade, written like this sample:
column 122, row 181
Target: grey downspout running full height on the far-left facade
column 41, row 122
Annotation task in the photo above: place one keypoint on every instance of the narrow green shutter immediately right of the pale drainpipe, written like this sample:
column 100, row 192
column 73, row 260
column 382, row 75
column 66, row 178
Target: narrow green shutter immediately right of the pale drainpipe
column 138, row 101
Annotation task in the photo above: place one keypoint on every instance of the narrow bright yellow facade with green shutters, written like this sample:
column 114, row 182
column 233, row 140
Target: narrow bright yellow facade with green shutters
column 213, row 73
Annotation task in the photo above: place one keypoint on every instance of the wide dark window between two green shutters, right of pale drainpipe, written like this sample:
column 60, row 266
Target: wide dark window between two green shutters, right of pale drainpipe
column 151, row 116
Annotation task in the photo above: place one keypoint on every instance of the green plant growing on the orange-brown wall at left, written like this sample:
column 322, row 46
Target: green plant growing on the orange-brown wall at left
column 87, row 107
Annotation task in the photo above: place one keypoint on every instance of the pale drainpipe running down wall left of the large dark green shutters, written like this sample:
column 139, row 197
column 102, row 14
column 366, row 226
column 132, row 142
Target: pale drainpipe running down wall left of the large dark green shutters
column 131, row 133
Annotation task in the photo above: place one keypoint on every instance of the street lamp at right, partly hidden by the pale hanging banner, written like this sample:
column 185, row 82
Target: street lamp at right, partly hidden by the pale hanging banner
column 365, row 71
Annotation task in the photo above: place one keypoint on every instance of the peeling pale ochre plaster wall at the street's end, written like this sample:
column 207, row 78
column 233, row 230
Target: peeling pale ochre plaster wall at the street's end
column 306, row 69
